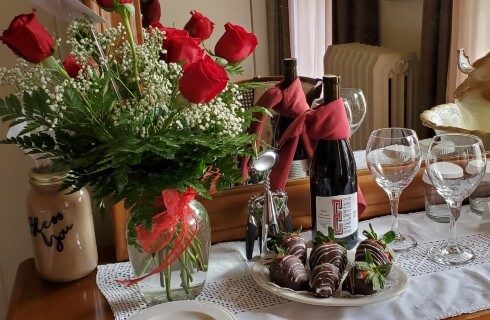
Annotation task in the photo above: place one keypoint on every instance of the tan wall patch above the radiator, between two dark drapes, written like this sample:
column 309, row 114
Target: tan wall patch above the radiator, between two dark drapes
column 401, row 24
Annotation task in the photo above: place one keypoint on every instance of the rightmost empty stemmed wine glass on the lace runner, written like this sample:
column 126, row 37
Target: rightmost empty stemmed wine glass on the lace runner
column 455, row 174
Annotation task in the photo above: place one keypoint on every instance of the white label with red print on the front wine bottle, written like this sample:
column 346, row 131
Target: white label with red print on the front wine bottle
column 339, row 212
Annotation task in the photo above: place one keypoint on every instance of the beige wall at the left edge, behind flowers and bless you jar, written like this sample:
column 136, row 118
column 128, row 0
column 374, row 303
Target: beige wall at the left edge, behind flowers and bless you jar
column 14, row 231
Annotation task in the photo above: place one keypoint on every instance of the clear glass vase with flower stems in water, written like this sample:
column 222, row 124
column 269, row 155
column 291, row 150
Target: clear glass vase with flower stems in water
column 185, row 277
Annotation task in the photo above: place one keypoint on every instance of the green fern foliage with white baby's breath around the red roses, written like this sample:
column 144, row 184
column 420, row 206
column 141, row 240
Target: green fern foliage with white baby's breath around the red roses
column 128, row 137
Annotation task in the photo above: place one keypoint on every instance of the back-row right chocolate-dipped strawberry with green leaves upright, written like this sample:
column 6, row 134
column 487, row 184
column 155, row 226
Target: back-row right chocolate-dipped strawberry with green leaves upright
column 378, row 247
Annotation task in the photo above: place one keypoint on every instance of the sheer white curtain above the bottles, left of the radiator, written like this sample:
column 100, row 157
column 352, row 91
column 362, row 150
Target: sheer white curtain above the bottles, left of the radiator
column 310, row 23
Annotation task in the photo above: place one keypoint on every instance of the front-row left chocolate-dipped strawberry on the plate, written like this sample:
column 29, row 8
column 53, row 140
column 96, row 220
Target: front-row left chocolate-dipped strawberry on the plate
column 288, row 271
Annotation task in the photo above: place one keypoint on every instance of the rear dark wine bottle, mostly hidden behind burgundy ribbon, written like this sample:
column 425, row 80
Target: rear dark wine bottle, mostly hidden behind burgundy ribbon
column 300, row 166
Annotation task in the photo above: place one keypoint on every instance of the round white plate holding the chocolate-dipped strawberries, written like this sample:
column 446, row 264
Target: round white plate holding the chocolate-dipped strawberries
column 396, row 283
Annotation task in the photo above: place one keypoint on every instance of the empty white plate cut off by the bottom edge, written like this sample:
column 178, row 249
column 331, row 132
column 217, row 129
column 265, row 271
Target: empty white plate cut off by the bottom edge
column 185, row 310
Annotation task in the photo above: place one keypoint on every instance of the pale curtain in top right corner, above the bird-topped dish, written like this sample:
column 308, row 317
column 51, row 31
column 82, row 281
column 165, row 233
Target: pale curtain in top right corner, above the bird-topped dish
column 471, row 31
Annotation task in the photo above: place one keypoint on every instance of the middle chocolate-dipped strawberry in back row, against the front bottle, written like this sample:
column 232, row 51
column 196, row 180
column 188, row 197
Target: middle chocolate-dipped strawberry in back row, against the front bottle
column 326, row 250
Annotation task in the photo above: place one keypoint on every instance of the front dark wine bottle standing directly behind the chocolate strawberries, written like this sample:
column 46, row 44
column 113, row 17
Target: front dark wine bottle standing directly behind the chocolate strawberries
column 333, row 181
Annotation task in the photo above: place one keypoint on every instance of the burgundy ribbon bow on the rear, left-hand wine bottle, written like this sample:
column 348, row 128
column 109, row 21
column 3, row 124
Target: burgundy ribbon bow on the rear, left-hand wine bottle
column 289, row 102
